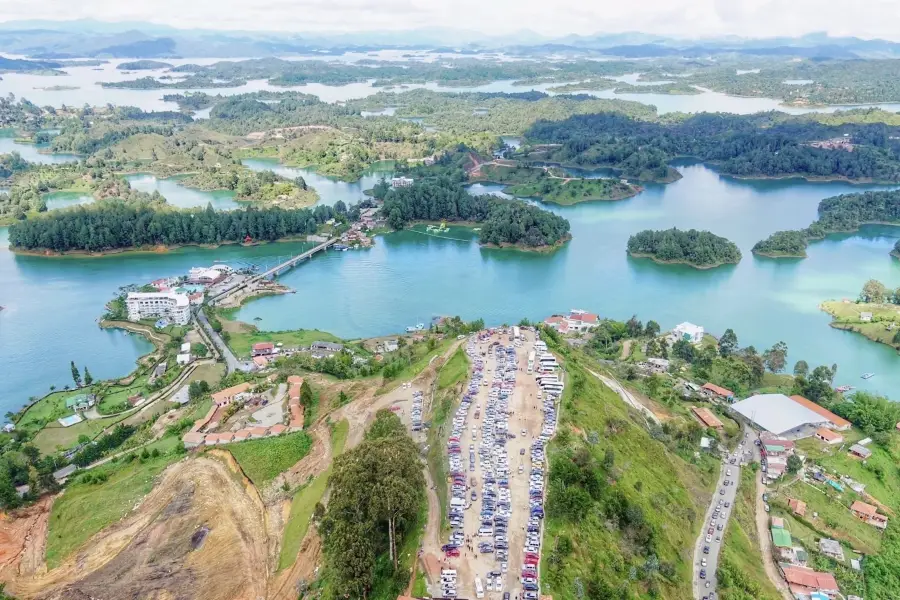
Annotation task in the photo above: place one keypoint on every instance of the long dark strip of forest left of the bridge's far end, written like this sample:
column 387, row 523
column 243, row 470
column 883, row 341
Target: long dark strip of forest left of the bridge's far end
column 112, row 224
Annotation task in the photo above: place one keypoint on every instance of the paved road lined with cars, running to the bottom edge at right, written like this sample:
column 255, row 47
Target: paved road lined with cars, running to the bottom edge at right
column 724, row 494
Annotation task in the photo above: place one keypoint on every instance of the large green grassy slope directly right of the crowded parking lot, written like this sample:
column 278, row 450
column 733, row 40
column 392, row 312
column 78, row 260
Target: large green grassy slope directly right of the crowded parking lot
column 663, row 493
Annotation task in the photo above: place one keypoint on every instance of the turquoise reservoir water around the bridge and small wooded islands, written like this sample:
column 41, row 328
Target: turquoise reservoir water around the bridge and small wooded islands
column 51, row 305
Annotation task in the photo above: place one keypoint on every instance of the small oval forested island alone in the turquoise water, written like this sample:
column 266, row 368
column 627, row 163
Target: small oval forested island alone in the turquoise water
column 696, row 248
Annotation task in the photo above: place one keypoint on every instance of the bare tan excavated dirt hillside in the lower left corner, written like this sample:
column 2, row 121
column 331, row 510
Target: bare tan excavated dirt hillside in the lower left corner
column 199, row 535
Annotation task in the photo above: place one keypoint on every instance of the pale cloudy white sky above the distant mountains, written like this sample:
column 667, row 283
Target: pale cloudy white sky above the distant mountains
column 680, row 18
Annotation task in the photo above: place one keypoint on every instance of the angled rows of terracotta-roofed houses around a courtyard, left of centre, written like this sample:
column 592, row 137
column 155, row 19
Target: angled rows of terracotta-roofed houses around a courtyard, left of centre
column 203, row 432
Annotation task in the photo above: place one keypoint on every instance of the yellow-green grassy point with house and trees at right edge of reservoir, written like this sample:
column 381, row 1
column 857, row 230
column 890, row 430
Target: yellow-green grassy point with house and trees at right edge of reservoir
column 875, row 314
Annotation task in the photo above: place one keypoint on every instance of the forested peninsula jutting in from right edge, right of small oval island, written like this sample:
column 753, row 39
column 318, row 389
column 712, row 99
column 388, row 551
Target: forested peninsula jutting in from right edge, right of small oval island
column 839, row 214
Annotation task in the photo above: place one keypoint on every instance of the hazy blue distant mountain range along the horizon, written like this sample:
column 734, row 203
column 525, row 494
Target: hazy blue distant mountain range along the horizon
column 54, row 40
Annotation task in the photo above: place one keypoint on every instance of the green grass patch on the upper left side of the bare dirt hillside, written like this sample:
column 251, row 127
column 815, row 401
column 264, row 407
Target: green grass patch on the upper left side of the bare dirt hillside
column 86, row 509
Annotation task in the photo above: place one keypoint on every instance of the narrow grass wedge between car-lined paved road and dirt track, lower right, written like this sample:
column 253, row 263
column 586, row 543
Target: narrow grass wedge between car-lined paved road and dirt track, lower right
column 741, row 568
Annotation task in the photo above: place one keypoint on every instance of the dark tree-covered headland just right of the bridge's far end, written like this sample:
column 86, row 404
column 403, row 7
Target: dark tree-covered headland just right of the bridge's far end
column 502, row 222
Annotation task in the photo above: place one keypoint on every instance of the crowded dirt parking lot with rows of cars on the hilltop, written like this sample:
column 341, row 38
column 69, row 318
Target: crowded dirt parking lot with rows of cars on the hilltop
column 496, row 465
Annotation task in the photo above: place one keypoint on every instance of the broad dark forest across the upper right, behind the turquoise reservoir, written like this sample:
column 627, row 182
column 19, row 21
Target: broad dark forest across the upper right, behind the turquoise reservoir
column 763, row 144
